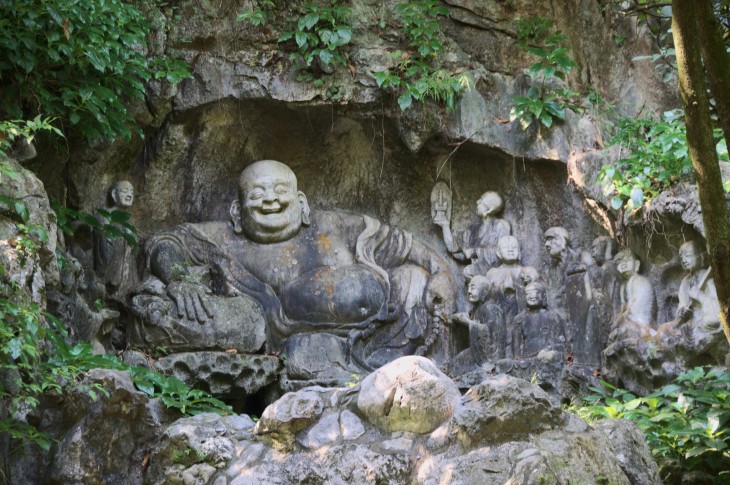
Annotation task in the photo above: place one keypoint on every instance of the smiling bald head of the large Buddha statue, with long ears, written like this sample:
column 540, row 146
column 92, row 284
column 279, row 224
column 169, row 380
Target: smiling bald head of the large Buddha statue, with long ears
column 269, row 207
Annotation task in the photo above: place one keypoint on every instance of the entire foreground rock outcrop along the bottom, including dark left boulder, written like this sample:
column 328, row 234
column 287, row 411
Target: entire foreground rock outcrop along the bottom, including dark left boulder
column 418, row 430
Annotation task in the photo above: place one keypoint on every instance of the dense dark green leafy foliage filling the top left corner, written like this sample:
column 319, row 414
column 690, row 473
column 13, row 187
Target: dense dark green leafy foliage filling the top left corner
column 77, row 61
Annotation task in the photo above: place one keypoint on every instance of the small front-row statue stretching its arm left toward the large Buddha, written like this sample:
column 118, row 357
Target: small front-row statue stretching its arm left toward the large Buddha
column 487, row 333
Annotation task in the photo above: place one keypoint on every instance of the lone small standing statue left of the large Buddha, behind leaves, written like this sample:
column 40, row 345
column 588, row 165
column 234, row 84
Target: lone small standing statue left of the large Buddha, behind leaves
column 114, row 262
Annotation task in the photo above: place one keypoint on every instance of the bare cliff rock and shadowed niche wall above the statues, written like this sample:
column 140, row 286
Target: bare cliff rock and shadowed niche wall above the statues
column 360, row 152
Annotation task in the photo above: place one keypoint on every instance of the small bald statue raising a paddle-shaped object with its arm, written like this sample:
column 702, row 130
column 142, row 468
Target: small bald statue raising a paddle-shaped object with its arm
column 478, row 243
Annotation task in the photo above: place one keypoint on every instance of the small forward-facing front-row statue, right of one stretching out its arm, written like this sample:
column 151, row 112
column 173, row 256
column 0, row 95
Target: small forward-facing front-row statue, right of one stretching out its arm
column 536, row 328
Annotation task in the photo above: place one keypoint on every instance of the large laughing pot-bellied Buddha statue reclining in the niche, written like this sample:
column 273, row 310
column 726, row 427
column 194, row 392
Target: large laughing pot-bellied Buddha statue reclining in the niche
column 338, row 293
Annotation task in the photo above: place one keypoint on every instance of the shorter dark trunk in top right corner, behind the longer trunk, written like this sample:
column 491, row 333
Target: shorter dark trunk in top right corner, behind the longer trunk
column 717, row 61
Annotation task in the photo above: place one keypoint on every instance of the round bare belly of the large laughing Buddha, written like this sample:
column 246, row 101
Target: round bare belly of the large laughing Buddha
column 339, row 295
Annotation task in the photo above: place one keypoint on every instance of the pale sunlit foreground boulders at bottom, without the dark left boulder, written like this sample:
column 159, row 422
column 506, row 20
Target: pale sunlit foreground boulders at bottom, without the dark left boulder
column 404, row 424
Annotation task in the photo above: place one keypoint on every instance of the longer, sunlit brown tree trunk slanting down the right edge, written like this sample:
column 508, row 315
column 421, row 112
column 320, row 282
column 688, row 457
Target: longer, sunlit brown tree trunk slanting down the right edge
column 702, row 150
